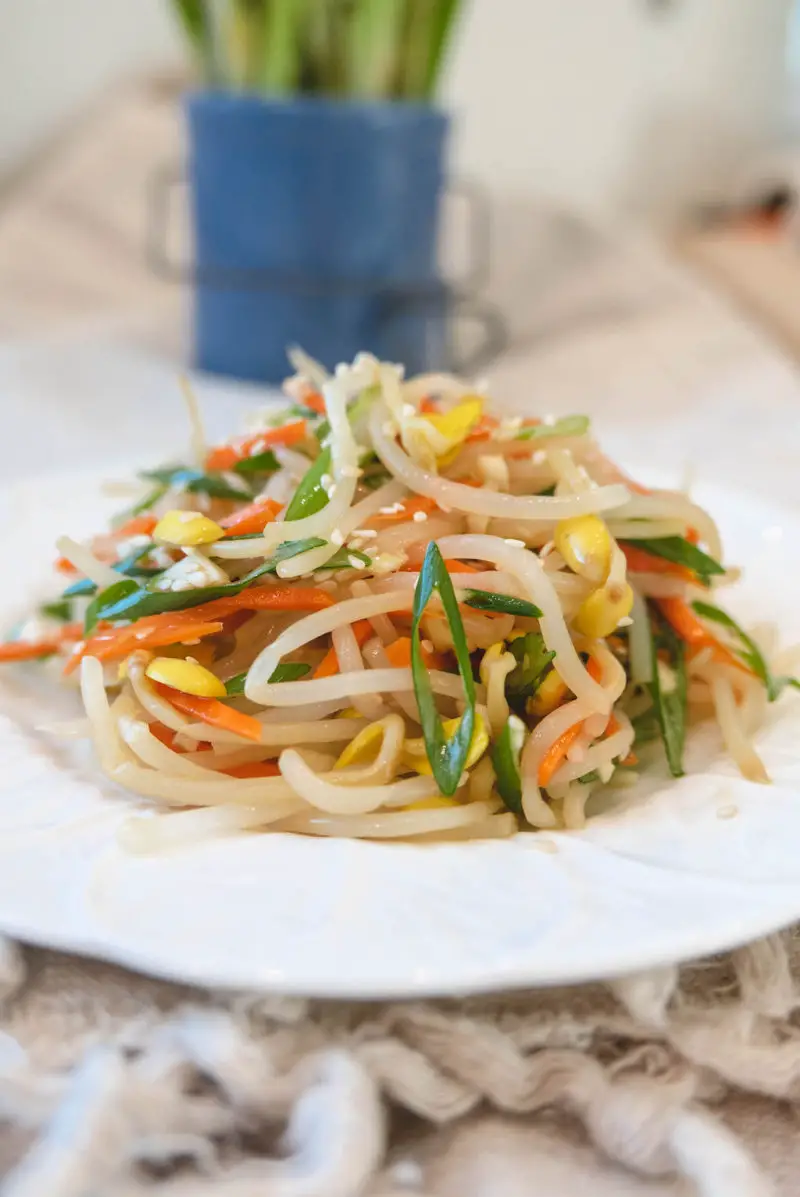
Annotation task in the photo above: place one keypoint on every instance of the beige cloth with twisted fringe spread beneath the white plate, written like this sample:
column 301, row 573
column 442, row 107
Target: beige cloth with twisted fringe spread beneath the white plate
column 670, row 1084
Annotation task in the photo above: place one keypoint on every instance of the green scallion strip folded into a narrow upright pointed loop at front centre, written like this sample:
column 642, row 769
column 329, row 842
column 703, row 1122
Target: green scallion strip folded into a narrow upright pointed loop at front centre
column 447, row 757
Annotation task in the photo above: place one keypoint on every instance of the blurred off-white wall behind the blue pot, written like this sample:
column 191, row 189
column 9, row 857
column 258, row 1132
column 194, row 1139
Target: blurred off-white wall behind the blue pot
column 608, row 105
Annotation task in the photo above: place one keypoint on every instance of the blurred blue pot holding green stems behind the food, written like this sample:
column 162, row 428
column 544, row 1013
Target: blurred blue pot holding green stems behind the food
column 316, row 223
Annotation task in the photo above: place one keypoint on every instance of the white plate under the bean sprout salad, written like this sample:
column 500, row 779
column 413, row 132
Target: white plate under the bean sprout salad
column 664, row 877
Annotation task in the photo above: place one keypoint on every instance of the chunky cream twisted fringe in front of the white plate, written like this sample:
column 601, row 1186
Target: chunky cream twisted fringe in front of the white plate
column 118, row 1085
